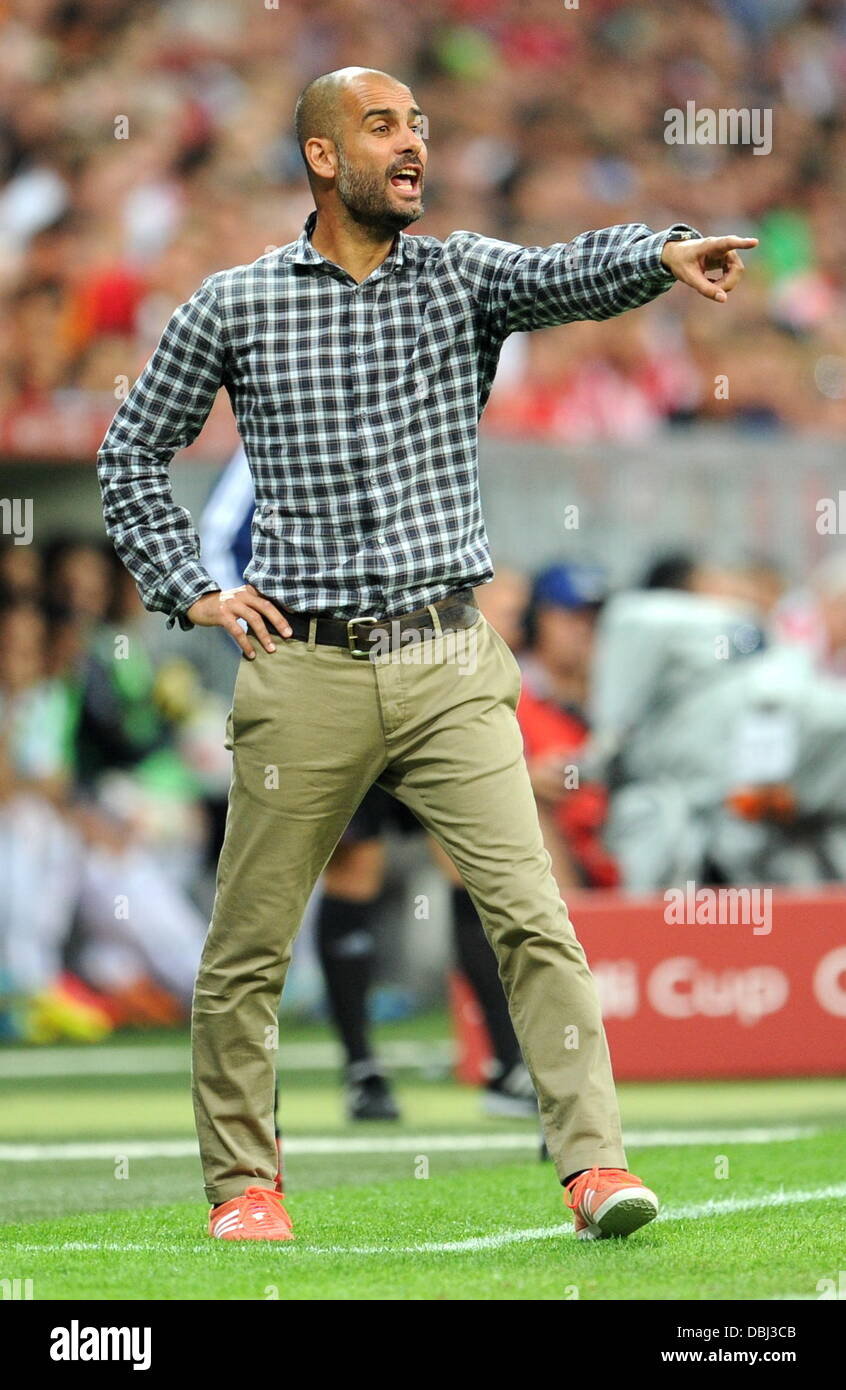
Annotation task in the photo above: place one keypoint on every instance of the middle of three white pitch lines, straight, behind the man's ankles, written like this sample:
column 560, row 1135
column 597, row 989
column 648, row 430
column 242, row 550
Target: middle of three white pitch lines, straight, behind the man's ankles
column 390, row 1145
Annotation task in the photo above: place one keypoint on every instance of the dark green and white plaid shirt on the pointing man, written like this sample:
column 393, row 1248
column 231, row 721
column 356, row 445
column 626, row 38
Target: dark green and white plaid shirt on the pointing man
column 359, row 408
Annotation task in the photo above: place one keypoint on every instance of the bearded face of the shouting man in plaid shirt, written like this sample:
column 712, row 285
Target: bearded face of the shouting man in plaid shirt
column 381, row 136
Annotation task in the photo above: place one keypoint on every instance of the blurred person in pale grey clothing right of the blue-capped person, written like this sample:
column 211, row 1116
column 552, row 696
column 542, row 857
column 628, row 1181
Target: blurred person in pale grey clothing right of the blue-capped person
column 669, row 676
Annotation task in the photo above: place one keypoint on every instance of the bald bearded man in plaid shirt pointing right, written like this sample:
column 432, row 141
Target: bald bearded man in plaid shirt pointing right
column 358, row 362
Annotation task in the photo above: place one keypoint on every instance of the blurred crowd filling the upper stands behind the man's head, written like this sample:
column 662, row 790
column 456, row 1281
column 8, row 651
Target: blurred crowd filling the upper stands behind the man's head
column 145, row 145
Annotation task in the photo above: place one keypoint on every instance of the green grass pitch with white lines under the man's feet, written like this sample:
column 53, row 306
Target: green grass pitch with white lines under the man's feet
column 101, row 1192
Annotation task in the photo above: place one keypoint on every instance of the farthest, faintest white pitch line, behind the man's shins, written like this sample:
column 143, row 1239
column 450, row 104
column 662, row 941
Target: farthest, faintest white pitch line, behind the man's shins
column 176, row 1058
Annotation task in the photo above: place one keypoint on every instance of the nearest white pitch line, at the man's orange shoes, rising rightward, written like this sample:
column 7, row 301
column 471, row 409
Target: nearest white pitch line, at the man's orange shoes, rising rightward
column 695, row 1211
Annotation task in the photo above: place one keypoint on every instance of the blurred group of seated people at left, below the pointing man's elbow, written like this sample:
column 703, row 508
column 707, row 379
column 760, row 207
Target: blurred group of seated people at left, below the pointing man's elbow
column 112, row 776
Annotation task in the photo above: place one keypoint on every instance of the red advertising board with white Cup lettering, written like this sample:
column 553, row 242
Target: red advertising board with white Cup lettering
column 705, row 986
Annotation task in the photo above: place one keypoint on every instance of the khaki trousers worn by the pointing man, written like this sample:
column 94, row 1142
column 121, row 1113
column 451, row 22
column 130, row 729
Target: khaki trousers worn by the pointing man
column 434, row 723
